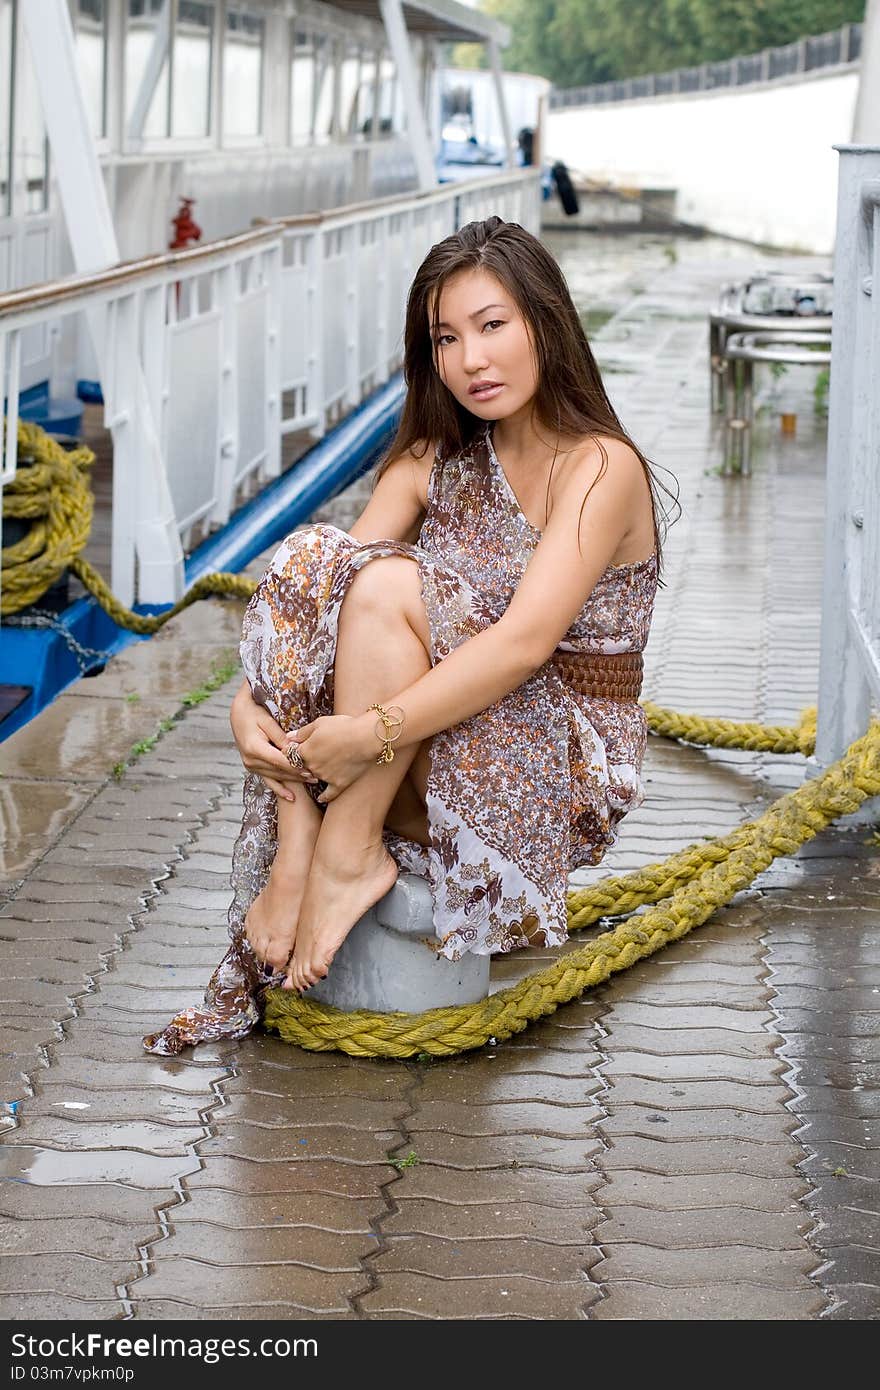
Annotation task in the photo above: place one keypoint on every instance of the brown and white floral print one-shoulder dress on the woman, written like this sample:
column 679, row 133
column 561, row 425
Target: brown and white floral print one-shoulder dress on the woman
column 519, row 796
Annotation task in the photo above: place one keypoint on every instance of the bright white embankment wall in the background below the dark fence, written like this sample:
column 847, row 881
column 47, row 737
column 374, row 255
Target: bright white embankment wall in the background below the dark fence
column 756, row 163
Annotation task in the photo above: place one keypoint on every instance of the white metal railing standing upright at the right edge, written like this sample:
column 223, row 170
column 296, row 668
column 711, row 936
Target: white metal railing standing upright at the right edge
column 850, row 655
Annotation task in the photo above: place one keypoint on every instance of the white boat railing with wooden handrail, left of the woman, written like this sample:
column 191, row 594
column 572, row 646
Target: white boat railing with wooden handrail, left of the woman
column 212, row 355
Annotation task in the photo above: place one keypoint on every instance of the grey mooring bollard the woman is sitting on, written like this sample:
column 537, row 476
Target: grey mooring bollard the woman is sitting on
column 387, row 963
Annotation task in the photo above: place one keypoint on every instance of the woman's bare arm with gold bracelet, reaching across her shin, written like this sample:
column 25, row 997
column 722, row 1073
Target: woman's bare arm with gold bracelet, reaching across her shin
column 551, row 594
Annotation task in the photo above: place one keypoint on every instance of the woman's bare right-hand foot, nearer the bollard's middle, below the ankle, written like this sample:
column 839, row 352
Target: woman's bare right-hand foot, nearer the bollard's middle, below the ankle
column 337, row 897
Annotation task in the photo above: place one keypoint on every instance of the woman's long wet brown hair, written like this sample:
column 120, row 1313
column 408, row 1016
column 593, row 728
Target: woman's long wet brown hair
column 571, row 398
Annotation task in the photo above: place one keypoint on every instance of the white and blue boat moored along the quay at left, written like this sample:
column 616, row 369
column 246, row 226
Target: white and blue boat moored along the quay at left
column 211, row 218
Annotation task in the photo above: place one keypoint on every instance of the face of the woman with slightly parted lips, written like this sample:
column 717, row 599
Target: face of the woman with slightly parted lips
column 483, row 338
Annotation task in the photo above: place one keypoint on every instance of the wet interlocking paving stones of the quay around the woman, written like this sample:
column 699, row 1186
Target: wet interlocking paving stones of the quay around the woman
column 697, row 1139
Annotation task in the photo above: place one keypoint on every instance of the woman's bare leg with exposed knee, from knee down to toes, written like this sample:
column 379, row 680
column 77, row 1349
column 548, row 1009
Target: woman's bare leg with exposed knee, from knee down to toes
column 383, row 647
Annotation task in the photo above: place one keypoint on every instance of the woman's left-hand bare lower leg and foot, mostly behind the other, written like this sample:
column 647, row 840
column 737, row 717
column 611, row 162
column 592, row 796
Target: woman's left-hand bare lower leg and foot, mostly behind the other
column 273, row 917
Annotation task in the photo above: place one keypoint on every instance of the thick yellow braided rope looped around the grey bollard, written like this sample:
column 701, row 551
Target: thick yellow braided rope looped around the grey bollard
column 711, row 875
